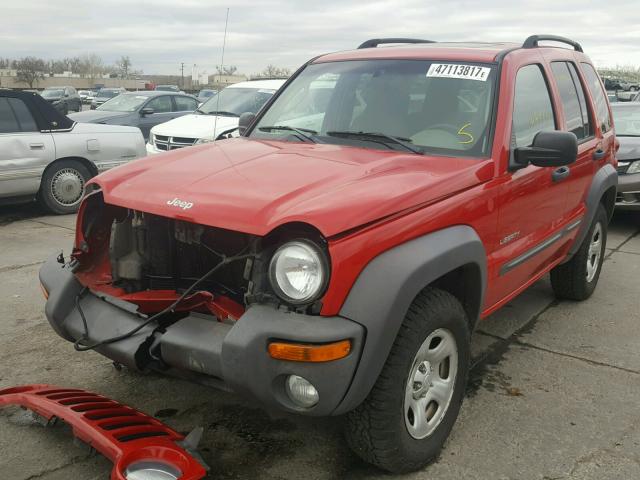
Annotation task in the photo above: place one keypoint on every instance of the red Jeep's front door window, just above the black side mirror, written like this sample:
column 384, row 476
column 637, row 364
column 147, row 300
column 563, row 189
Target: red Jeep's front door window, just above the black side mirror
column 532, row 108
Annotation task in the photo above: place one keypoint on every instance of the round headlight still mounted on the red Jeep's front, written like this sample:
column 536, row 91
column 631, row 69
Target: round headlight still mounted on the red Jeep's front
column 298, row 272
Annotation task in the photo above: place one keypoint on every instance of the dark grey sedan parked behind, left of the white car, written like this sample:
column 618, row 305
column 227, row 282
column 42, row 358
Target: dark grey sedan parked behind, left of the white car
column 140, row 109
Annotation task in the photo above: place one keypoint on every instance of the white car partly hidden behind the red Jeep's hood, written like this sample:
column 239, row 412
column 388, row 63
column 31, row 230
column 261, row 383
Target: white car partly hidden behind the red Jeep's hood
column 214, row 118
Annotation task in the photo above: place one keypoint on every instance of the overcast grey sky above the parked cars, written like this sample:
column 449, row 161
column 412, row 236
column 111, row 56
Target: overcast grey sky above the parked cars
column 161, row 34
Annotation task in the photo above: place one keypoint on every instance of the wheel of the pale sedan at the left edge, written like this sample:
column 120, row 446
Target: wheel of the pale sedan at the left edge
column 62, row 186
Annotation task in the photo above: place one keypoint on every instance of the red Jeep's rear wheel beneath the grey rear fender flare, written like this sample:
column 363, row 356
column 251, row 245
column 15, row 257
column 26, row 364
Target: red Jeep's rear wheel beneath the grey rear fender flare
column 577, row 279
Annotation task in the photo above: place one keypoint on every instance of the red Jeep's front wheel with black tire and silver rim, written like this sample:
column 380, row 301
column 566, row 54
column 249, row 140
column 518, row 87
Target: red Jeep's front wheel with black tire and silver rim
column 384, row 430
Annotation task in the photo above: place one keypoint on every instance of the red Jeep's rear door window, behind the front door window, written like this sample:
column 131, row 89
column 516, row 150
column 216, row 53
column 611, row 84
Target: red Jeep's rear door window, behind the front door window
column 577, row 120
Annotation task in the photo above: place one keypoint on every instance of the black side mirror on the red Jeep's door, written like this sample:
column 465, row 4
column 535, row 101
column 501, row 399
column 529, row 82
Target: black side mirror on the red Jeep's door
column 549, row 149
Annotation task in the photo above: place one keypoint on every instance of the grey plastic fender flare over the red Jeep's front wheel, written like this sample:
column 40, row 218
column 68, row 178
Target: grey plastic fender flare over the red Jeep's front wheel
column 385, row 289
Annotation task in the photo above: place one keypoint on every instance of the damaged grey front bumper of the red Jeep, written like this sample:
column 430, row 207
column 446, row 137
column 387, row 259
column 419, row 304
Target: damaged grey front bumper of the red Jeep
column 234, row 356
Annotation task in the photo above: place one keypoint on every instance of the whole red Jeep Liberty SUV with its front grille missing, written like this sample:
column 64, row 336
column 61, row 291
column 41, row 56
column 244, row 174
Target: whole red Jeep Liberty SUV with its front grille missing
column 337, row 263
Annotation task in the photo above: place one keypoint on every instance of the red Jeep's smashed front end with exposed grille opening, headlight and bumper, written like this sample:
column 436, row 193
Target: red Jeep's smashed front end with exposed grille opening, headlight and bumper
column 165, row 294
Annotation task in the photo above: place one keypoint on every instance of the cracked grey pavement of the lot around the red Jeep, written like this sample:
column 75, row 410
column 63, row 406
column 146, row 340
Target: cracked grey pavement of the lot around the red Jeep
column 554, row 391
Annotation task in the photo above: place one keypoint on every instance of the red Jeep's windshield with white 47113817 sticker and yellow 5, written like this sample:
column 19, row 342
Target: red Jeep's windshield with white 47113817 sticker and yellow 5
column 433, row 107
